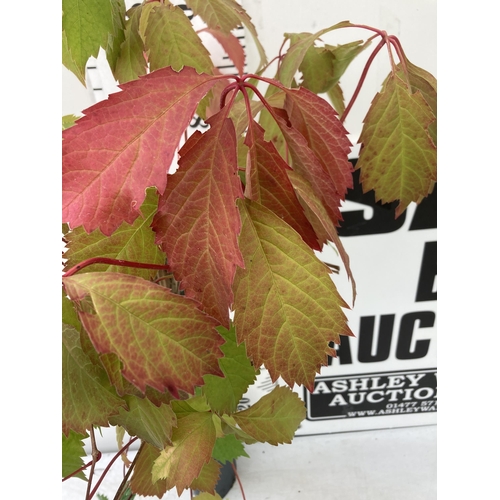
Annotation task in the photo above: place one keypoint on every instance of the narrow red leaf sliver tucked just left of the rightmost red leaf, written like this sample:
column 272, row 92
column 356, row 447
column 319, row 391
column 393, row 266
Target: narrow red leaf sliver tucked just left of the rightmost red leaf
column 306, row 163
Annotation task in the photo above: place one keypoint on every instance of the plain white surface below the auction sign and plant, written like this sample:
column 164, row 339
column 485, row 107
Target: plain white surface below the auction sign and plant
column 391, row 464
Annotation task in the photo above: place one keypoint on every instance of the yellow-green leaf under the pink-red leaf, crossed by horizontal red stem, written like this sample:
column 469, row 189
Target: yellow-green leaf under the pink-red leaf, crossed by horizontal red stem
column 133, row 242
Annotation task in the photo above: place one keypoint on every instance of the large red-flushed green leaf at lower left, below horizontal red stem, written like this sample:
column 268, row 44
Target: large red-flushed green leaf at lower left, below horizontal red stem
column 163, row 339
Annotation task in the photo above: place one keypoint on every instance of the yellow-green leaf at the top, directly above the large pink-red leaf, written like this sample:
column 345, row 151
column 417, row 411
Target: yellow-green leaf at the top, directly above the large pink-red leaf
column 170, row 40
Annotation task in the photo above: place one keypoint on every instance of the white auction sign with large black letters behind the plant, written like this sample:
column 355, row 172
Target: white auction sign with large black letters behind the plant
column 385, row 376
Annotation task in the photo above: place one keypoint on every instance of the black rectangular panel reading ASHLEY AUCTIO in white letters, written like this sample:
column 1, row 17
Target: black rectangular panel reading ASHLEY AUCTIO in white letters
column 373, row 394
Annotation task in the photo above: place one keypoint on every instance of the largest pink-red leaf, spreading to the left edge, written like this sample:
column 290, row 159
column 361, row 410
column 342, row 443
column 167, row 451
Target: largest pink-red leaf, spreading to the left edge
column 125, row 144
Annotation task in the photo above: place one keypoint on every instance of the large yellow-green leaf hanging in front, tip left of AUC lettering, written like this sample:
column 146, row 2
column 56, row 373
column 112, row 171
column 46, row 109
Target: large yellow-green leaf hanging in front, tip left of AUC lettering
column 287, row 308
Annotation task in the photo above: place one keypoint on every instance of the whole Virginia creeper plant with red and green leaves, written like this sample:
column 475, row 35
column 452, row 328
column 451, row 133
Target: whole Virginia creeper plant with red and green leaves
column 190, row 261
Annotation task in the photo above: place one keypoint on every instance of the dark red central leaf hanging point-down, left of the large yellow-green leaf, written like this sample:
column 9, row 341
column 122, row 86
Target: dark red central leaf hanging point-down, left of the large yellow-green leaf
column 197, row 223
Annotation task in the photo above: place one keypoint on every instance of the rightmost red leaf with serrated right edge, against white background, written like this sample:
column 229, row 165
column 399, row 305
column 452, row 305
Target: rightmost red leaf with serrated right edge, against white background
column 318, row 122
